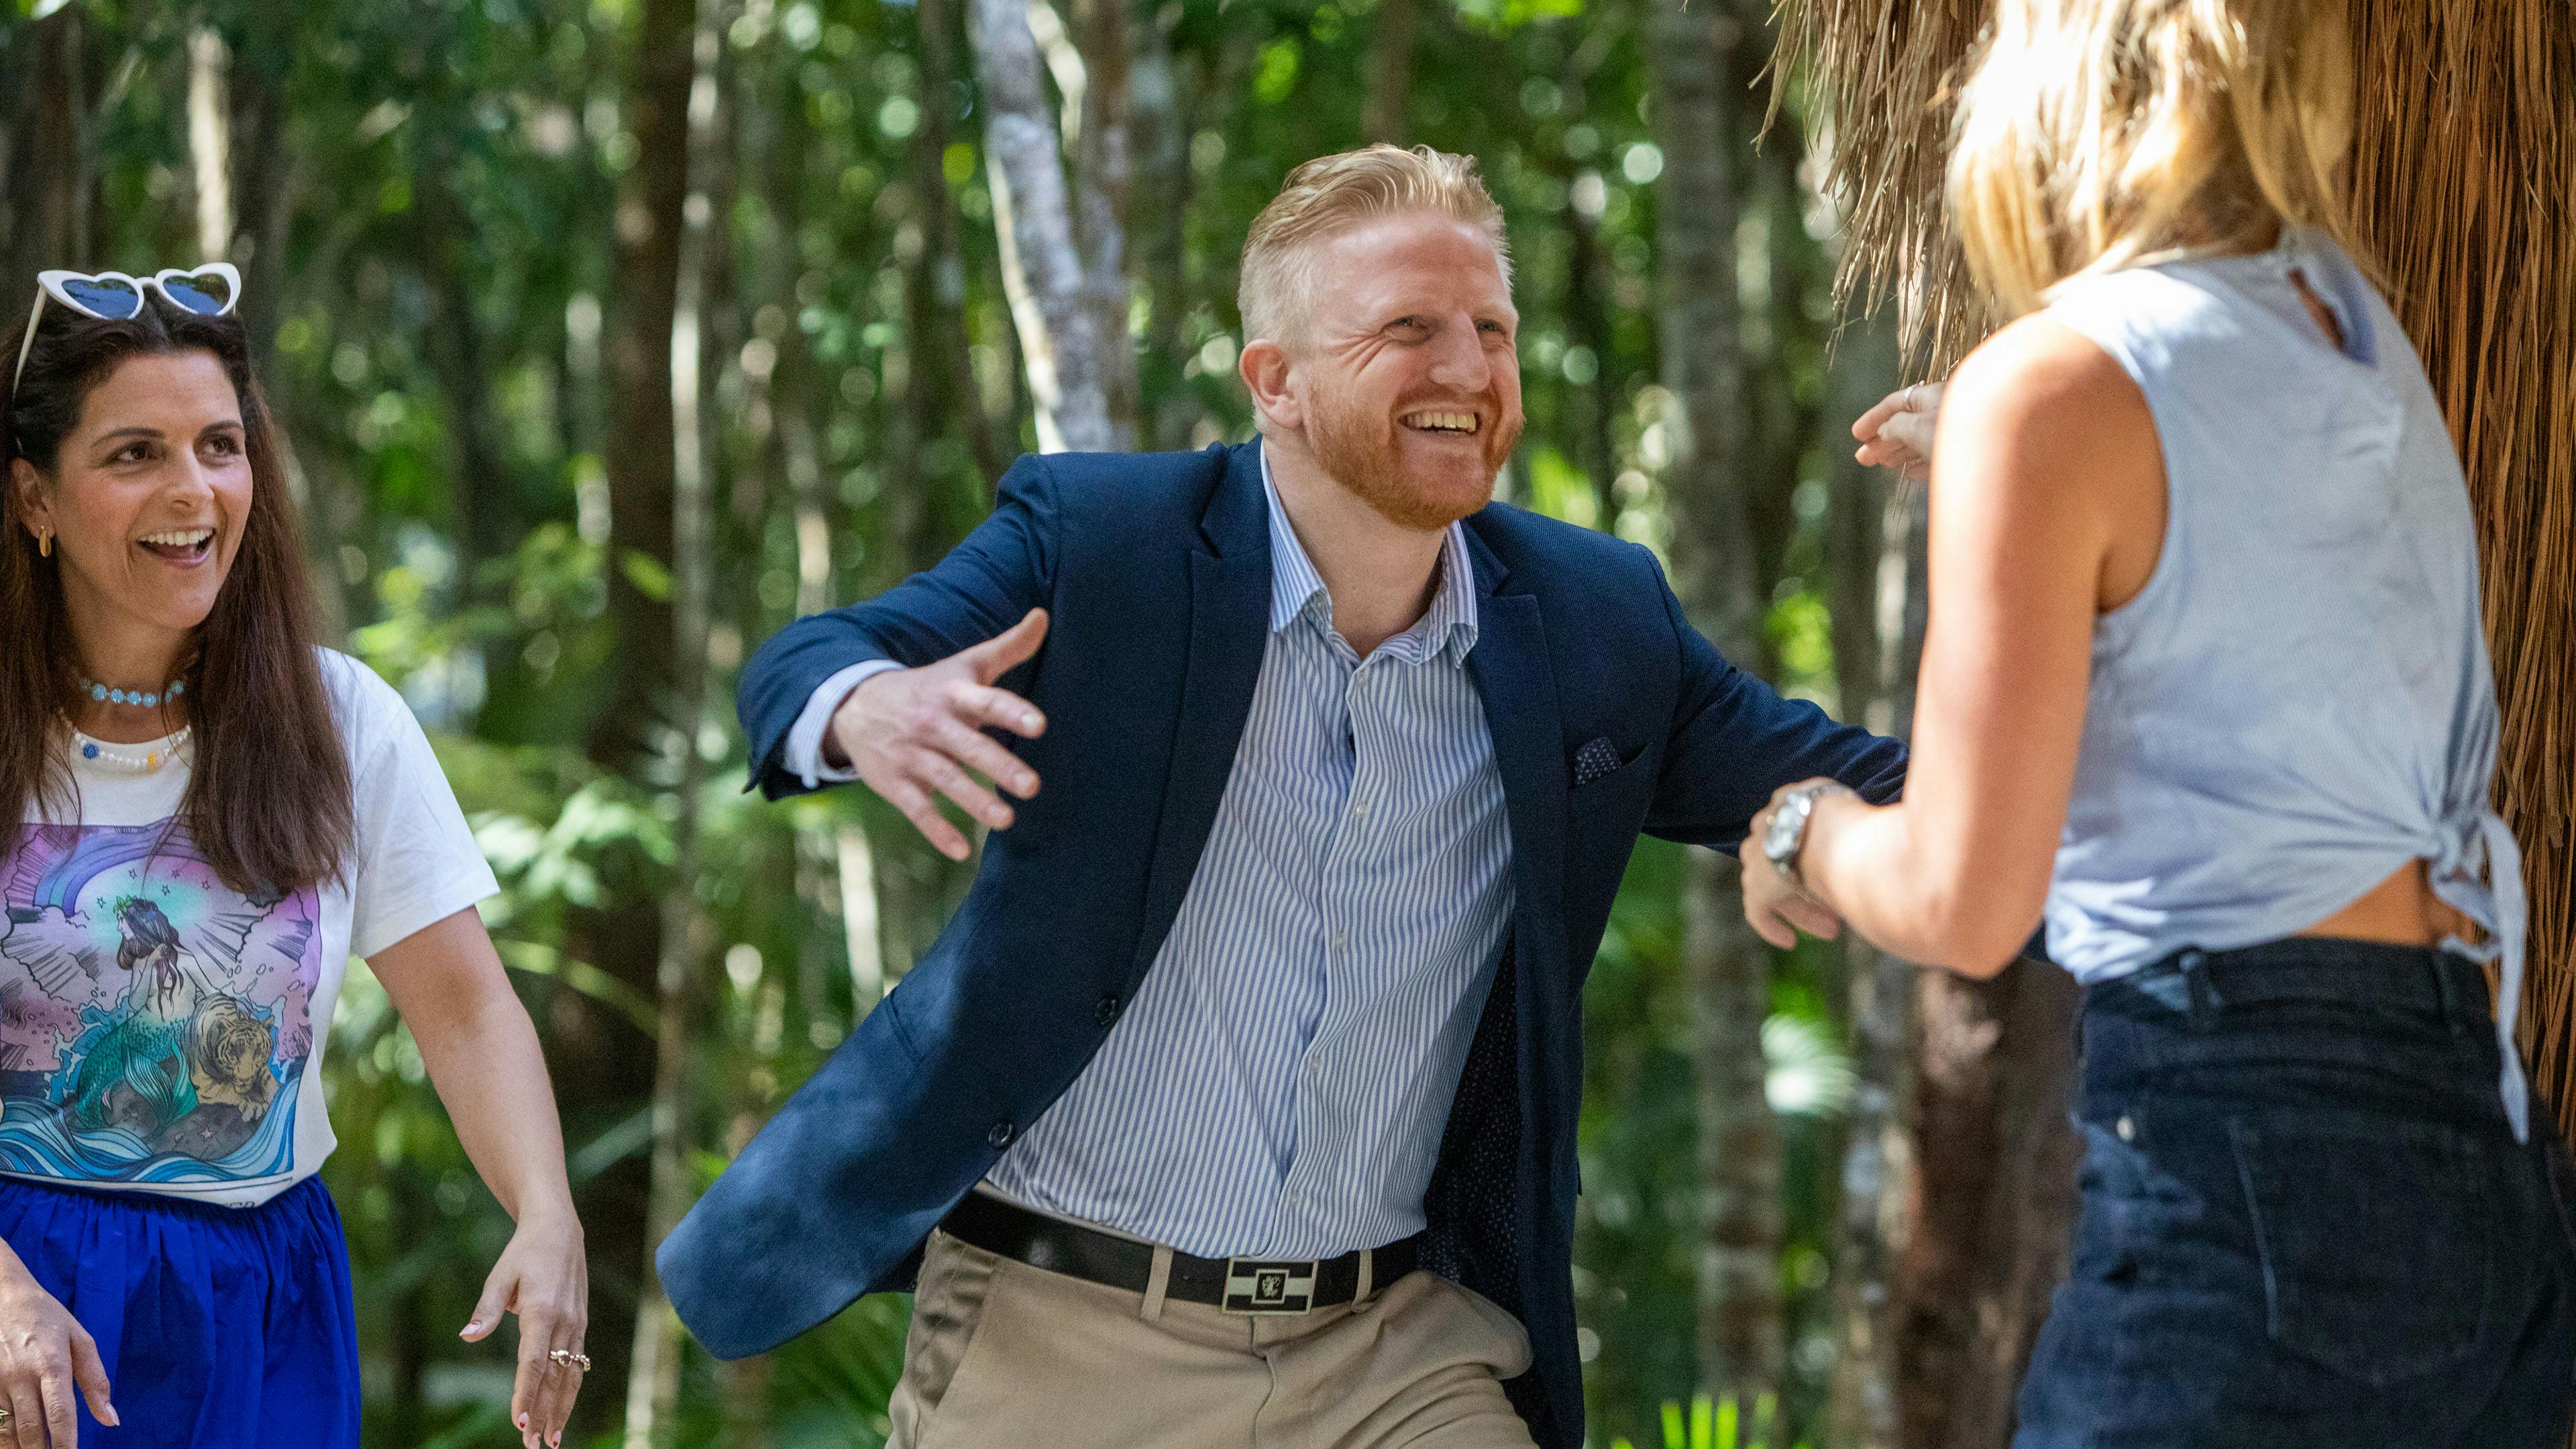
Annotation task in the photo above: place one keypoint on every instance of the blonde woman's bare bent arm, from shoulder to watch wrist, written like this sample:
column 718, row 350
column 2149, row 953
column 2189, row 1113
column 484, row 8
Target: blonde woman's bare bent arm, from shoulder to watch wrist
column 2047, row 509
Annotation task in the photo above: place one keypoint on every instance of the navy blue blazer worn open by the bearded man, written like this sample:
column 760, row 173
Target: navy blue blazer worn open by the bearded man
column 1158, row 576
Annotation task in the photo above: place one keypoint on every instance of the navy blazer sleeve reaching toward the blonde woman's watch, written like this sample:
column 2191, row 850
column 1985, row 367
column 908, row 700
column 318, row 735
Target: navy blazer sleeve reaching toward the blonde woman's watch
column 1735, row 741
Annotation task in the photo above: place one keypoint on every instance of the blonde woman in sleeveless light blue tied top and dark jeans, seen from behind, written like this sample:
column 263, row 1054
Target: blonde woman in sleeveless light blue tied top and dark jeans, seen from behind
column 2206, row 690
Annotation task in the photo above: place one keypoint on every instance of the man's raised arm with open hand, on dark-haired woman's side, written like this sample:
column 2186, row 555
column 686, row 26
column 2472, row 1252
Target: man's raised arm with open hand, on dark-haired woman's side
column 797, row 692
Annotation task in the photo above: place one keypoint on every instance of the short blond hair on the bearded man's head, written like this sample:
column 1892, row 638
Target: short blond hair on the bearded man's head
column 1336, row 195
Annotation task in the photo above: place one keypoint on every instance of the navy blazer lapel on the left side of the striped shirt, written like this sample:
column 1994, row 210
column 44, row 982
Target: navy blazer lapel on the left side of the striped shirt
column 1230, row 628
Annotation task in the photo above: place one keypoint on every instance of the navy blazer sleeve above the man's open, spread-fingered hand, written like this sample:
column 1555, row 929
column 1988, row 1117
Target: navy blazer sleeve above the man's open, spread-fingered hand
column 985, row 587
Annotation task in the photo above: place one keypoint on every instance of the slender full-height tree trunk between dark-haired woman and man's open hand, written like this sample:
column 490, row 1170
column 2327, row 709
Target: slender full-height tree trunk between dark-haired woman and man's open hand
column 653, row 1388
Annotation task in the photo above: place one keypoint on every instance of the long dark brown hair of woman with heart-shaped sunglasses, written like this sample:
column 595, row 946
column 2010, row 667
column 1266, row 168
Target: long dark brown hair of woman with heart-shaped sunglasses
column 269, row 798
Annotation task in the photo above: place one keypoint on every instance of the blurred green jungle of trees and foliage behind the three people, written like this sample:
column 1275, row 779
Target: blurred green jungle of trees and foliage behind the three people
column 612, row 334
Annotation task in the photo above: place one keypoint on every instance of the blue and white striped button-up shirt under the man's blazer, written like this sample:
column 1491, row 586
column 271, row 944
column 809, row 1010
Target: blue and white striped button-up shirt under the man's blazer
column 1284, row 1076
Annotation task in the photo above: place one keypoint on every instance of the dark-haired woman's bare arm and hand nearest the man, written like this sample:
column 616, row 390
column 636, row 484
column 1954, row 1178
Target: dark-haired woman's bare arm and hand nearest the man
column 491, row 1074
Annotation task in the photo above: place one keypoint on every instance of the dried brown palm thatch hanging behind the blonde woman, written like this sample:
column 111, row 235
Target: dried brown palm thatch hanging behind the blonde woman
column 2464, row 179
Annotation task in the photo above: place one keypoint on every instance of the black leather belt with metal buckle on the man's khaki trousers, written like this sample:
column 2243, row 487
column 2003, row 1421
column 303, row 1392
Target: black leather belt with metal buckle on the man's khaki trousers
column 1233, row 1285
